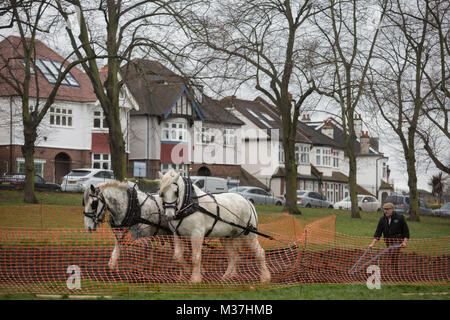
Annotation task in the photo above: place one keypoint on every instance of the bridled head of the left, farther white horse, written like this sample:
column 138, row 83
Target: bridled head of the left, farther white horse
column 94, row 208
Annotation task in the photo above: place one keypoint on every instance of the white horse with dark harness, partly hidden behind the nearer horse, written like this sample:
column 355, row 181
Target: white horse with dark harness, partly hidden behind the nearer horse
column 130, row 210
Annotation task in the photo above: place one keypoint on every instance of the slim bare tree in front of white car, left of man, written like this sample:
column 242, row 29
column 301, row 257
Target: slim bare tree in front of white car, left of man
column 346, row 51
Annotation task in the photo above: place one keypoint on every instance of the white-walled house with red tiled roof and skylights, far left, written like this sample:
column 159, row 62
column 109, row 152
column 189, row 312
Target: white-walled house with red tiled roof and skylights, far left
column 72, row 134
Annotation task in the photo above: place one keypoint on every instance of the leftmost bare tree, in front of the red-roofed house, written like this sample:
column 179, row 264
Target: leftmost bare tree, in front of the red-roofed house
column 20, row 73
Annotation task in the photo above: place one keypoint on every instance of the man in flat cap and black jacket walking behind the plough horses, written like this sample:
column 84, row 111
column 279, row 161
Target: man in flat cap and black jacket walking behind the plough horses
column 395, row 230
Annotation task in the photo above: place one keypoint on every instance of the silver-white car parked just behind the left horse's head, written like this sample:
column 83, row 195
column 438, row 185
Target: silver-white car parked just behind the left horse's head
column 79, row 179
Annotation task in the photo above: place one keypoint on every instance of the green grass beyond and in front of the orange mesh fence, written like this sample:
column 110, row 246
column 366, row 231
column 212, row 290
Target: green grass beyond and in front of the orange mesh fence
column 428, row 227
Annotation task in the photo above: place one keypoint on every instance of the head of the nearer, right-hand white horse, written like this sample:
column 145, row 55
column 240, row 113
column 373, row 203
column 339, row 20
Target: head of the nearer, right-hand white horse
column 170, row 192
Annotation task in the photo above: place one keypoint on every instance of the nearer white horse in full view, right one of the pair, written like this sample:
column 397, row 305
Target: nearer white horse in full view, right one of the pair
column 196, row 214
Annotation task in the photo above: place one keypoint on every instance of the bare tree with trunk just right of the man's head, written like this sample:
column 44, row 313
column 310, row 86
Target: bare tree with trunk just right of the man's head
column 398, row 79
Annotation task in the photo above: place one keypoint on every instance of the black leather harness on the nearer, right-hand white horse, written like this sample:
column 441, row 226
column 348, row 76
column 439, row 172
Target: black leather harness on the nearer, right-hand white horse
column 190, row 205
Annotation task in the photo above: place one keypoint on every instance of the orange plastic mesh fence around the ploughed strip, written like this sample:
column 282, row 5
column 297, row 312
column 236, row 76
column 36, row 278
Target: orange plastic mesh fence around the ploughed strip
column 46, row 250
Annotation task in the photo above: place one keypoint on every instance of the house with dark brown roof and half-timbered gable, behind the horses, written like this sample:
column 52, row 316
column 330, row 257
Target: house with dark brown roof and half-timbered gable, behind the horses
column 179, row 127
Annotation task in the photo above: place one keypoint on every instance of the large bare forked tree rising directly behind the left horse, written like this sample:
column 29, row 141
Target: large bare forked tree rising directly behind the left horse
column 117, row 30
